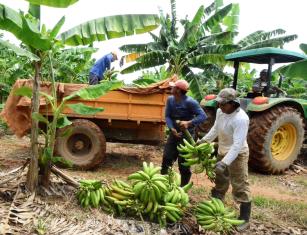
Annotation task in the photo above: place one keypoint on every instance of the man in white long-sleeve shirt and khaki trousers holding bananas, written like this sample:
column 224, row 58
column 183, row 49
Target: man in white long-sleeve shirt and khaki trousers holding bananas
column 231, row 127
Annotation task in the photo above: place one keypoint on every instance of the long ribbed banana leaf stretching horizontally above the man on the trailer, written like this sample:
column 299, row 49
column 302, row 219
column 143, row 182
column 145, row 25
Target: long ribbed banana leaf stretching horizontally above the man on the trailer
column 109, row 27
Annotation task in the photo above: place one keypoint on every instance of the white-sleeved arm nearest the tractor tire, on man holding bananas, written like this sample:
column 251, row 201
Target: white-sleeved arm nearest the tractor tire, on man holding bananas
column 239, row 137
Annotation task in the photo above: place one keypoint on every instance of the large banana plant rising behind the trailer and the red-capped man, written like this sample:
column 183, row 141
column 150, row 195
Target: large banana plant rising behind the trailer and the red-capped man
column 202, row 43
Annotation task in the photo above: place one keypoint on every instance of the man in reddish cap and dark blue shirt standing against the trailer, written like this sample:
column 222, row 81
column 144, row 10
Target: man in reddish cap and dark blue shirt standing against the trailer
column 180, row 107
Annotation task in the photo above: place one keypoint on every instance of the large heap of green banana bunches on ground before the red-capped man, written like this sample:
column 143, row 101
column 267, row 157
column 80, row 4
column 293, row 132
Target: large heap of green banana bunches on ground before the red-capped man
column 151, row 196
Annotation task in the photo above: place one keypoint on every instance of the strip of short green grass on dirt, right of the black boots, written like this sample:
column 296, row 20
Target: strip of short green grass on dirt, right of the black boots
column 285, row 210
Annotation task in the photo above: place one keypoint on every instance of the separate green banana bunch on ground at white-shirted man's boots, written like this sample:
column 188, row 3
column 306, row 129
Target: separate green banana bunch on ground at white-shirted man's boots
column 212, row 215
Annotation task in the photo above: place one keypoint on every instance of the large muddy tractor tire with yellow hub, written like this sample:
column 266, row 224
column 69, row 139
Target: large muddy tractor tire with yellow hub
column 275, row 139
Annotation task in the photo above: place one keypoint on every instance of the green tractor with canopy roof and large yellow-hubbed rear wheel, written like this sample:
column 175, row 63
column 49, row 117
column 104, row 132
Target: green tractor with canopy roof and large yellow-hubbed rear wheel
column 277, row 124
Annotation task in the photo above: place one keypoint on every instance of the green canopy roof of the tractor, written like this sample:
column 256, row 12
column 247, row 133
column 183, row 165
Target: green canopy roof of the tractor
column 263, row 56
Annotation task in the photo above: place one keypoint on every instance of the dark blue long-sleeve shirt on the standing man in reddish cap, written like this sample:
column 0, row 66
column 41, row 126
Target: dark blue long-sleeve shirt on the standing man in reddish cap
column 185, row 110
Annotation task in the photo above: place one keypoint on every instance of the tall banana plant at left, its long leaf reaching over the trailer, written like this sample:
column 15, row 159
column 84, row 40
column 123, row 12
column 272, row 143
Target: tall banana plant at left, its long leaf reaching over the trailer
column 38, row 41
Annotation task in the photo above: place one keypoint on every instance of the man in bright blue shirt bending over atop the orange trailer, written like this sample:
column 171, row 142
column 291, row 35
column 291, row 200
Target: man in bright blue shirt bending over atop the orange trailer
column 101, row 65
